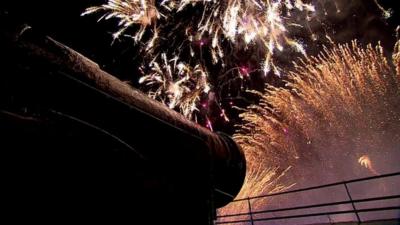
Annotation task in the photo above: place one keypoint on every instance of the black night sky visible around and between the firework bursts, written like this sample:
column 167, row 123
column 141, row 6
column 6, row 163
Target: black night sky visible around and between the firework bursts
column 358, row 20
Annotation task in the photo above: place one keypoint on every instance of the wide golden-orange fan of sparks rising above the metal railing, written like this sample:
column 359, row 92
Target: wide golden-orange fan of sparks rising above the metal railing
column 334, row 107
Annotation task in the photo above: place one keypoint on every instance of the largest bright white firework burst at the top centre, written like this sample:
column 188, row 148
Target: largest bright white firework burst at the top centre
column 245, row 23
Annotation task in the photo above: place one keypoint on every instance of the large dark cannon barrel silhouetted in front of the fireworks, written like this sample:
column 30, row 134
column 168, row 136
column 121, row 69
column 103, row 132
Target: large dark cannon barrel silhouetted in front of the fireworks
column 78, row 144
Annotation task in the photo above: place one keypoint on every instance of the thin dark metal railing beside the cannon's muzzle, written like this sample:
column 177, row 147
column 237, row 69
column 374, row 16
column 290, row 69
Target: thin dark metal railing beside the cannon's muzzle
column 254, row 216
